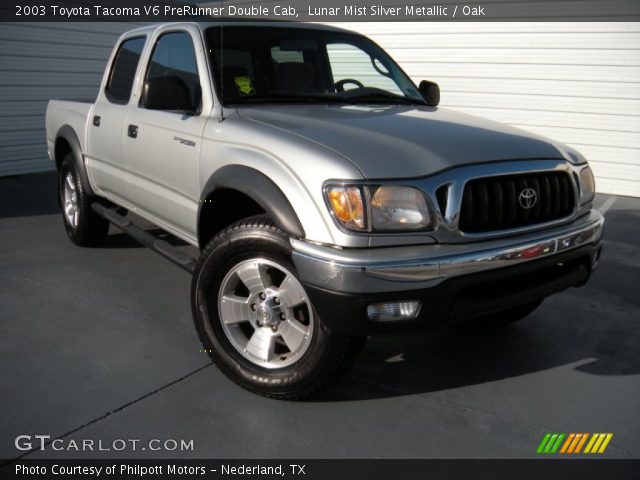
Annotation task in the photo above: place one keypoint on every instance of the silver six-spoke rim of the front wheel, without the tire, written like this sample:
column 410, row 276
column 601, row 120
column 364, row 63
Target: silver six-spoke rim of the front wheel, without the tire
column 265, row 313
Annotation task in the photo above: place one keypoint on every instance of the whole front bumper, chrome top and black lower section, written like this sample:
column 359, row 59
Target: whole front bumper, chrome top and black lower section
column 451, row 281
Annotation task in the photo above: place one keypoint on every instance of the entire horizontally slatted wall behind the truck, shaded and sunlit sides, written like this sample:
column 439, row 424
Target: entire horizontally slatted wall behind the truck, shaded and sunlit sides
column 575, row 82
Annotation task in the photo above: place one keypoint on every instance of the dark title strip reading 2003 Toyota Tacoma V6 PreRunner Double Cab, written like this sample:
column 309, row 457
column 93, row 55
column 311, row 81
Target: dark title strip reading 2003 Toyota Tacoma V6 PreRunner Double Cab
column 322, row 11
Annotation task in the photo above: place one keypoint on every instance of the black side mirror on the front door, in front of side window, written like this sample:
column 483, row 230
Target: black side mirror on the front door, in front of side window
column 167, row 93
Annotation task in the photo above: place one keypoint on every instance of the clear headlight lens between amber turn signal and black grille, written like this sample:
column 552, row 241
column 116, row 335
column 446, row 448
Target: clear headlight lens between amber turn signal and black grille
column 399, row 208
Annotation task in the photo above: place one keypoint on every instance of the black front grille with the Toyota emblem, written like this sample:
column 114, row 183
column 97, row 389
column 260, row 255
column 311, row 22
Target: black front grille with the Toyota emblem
column 498, row 203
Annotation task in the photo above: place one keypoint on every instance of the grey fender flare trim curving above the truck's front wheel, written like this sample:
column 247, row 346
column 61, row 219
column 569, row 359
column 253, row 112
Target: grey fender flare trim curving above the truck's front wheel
column 261, row 189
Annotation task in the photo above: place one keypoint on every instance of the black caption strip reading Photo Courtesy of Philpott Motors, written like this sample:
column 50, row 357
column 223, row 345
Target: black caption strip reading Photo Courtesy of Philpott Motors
column 324, row 469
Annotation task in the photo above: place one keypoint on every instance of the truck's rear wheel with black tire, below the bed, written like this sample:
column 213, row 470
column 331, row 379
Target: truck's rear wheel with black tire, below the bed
column 84, row 227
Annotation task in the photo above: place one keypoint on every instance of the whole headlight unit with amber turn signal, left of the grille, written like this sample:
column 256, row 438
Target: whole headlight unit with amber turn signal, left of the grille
column 387, row 208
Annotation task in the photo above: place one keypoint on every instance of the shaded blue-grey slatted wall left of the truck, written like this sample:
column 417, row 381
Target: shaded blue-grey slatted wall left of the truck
column 40, row 61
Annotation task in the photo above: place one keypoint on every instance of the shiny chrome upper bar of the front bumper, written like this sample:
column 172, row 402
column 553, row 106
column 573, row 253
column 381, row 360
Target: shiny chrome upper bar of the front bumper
column 425, row 266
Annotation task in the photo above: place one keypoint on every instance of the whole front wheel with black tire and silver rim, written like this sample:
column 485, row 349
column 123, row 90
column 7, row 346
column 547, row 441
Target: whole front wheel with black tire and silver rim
column 255, row 319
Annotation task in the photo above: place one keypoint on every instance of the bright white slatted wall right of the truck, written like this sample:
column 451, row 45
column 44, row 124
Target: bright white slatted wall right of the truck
column 578, row 83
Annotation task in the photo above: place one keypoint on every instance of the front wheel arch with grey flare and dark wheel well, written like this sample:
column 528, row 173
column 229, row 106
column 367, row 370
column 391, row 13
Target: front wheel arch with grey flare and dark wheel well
column 252, row 192
